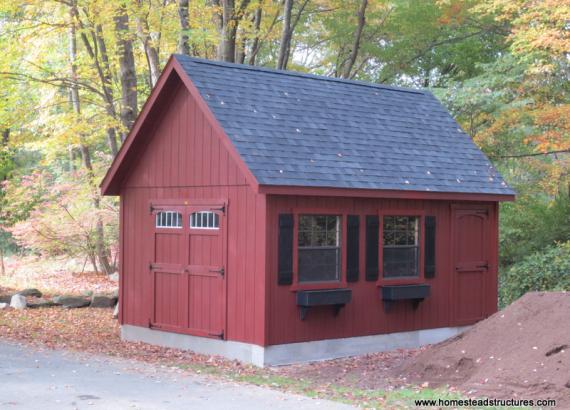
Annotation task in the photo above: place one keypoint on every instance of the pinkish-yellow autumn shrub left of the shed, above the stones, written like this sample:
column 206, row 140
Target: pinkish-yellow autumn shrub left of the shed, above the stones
column 54, row 216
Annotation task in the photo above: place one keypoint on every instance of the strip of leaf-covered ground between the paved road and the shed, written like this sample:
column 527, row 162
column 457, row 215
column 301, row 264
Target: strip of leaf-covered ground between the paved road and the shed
column 356, row 380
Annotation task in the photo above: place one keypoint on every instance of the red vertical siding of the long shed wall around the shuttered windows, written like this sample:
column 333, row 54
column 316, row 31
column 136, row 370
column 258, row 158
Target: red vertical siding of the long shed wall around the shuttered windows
column 365, row 314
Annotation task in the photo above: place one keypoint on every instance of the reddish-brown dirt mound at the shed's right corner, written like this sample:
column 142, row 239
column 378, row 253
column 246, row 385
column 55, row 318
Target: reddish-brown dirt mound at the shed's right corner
column 522, row 351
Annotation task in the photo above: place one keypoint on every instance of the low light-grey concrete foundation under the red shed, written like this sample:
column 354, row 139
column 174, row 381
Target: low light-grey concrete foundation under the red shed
column 291, row 352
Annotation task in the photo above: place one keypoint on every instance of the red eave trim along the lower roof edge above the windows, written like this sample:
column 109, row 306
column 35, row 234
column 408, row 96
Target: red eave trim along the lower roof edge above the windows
column 381, row 193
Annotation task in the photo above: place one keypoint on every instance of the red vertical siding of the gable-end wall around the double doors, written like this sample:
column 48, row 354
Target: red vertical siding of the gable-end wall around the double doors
column 184, row 160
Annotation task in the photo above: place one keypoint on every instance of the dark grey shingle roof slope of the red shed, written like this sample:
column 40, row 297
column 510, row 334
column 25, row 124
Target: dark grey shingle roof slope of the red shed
column 302, row 130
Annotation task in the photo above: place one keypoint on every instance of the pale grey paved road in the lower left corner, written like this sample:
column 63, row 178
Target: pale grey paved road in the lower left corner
column 33, row 379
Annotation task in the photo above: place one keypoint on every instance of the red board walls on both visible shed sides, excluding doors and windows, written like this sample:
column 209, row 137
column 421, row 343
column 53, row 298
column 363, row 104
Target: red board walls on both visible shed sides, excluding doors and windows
column 185, row 157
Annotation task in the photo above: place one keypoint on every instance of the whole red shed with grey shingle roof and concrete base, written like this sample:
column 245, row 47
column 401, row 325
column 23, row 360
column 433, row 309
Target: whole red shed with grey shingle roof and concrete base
column 275, row 217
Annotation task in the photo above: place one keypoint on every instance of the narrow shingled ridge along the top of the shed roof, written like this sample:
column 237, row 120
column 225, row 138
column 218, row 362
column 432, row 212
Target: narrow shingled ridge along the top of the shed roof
column 297, row 74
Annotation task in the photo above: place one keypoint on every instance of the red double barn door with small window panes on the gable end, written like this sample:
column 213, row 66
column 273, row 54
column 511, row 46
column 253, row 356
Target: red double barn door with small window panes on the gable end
column 188, row 269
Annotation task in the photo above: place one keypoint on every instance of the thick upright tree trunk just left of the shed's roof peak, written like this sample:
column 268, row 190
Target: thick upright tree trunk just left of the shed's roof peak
column 127, row 71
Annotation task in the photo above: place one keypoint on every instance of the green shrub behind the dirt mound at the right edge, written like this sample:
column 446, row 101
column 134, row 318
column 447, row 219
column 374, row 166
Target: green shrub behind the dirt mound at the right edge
column 548, row 269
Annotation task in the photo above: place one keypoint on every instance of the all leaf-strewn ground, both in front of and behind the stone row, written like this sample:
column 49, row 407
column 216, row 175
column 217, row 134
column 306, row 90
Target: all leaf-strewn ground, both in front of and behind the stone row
column 361, row 380
